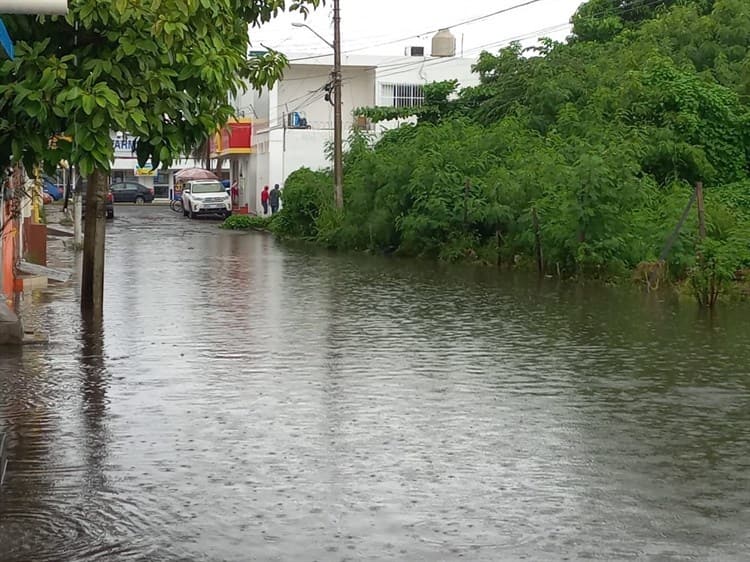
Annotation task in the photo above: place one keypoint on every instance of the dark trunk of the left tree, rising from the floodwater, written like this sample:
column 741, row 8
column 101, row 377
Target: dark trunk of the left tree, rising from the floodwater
column 92, row 274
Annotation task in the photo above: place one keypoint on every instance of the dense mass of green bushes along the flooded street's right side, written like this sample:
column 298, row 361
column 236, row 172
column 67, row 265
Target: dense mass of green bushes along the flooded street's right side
column 602, row 138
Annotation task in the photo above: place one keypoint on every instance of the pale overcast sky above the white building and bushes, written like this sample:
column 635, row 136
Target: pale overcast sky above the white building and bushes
column 380, row 26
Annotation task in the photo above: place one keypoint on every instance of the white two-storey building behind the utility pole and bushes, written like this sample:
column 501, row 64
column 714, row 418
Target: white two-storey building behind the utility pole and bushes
column 292, row 124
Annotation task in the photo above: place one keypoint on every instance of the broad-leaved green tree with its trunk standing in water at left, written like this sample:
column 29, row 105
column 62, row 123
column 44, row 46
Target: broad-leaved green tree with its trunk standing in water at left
column 160, row 70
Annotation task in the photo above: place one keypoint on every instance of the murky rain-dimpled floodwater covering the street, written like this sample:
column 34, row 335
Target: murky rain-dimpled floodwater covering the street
column 247, row 400
